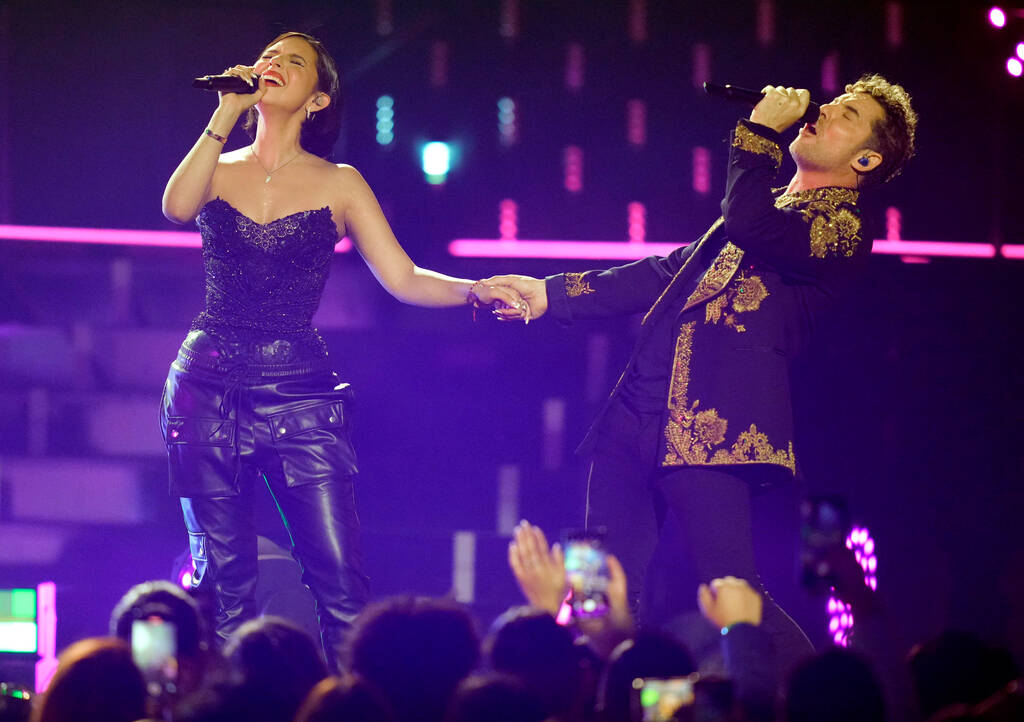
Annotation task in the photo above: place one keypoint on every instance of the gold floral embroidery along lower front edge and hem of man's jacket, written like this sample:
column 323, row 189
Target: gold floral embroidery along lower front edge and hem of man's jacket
column 693, row 435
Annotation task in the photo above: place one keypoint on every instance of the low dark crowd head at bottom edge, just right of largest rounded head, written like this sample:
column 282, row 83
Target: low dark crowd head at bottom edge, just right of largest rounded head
column 496, row 698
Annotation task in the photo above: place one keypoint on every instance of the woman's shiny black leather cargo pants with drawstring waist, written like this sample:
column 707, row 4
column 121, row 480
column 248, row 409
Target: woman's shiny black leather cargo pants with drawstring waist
column 231, row 431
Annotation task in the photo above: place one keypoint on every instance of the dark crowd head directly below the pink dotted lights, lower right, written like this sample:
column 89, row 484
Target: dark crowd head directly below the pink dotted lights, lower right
column 834, row 687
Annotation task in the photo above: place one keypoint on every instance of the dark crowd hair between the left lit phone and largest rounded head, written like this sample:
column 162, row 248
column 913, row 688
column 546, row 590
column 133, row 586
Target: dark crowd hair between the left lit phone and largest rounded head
column 278, row 663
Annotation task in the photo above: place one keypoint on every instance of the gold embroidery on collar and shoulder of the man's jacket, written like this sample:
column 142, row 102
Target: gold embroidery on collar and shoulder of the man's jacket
column 832, row 214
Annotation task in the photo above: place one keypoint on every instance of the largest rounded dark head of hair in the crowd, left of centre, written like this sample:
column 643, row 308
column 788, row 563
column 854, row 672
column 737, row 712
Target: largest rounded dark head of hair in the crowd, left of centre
column 416, row 652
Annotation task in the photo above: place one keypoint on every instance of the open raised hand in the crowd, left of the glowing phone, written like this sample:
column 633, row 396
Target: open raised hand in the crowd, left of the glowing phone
column 540, row 571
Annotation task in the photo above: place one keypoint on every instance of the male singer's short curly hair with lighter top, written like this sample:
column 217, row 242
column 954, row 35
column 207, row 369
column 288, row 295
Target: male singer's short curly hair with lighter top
column 893, row 137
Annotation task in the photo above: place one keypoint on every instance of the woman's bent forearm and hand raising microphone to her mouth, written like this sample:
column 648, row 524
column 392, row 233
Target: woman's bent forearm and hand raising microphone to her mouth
column 189, row 188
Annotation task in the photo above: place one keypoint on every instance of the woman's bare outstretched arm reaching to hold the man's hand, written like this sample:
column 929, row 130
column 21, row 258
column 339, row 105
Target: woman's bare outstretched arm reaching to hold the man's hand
column 366, row 225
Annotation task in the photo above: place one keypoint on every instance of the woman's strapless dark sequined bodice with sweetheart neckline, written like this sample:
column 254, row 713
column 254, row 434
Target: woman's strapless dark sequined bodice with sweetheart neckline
column 265, row 281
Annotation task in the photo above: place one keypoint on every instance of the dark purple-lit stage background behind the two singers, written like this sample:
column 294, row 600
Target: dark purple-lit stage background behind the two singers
column 909, row 405
